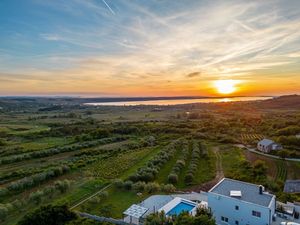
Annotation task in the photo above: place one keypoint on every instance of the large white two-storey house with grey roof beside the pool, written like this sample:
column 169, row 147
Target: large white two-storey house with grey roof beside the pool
column 239, row 203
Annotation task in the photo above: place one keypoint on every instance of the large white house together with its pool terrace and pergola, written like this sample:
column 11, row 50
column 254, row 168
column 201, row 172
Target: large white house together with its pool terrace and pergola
column 231, row 202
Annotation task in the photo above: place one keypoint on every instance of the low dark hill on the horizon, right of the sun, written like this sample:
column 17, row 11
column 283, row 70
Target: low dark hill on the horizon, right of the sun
column 282, row 102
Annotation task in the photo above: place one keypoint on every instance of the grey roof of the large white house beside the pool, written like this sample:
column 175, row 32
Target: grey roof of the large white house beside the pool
column 249, row 192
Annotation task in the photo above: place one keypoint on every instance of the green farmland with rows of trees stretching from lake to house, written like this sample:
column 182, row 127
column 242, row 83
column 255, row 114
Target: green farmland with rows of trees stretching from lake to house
column 68, row 152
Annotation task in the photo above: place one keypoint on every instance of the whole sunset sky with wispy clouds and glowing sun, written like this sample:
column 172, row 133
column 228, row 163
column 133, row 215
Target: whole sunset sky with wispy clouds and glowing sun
column 149, row 47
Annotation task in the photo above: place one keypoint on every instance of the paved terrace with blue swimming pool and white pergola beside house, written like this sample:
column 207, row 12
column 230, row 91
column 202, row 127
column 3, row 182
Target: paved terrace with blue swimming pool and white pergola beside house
column 170, row 204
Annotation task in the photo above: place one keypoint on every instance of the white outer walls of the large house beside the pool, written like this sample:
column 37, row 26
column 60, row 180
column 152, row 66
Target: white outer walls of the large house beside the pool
column 225, row 206
